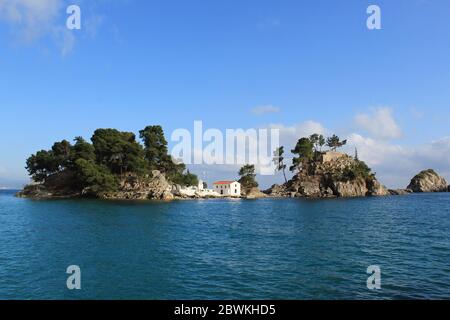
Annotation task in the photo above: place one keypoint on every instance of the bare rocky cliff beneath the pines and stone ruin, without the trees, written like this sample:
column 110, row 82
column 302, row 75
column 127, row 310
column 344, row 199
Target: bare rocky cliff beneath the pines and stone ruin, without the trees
column 336, row 176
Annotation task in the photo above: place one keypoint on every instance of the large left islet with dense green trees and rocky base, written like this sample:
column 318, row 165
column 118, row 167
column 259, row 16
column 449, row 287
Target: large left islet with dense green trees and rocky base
column 113, row 166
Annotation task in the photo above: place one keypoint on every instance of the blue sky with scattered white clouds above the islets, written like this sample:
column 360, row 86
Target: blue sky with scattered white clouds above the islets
column 136, row 63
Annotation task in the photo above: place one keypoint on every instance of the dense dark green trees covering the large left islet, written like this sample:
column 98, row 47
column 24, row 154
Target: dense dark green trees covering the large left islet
column 112, row 154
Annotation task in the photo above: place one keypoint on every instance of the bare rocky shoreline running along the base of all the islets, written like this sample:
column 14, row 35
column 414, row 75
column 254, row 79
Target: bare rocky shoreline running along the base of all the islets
column 322, row 180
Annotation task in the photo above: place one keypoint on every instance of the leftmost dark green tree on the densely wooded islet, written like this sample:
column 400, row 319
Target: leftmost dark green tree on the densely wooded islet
column 41, row 165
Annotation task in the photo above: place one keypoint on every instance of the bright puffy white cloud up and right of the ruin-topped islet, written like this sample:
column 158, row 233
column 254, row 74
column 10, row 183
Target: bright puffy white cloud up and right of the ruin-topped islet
column 379, row 123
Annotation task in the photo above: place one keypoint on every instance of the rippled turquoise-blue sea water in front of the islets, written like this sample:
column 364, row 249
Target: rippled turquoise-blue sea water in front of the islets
column 226, row 249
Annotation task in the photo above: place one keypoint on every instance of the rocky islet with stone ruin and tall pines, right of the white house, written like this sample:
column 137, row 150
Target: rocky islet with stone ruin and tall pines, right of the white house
column 327, row 174
